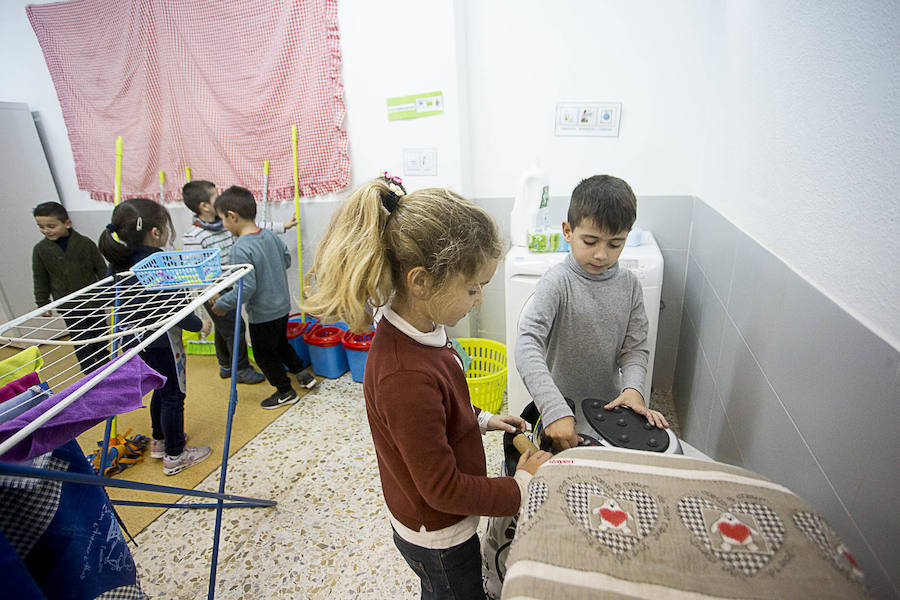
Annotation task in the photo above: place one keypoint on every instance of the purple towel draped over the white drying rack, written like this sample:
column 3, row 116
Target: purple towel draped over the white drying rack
column 121, row 391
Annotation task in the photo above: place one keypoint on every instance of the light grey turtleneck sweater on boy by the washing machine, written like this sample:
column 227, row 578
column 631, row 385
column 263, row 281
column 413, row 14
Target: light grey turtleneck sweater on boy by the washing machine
column 578, row 332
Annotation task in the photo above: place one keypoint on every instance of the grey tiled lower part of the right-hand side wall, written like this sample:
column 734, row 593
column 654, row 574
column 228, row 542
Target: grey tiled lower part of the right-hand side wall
column 772, row 375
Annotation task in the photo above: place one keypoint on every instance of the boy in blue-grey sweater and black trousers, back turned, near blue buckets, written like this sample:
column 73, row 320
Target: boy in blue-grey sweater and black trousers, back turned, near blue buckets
column 266, row 294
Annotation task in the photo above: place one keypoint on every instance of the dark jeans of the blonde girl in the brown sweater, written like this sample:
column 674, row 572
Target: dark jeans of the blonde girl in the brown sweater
column 451, row 573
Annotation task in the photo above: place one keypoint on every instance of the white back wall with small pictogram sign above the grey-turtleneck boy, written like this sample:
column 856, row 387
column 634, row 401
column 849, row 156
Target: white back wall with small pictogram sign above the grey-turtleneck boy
column 526, row 56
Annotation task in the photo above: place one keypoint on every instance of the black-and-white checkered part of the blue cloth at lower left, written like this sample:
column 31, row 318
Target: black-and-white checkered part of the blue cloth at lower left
column 25, row 514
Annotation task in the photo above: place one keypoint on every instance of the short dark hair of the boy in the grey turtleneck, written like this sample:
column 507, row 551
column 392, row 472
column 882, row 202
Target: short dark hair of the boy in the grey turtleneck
column 606, row 200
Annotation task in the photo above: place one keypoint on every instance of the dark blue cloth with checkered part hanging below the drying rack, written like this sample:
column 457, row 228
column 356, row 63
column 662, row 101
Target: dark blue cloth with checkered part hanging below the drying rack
column 67, row 536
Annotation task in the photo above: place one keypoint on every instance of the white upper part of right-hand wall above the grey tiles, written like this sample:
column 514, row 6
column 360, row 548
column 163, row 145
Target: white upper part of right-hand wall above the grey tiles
column 803, row 141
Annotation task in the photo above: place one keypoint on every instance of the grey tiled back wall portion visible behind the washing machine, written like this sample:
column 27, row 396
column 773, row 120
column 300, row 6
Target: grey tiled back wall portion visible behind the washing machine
column 668, row 217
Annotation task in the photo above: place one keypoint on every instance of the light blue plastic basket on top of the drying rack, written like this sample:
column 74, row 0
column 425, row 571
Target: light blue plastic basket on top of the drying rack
column 174, row 270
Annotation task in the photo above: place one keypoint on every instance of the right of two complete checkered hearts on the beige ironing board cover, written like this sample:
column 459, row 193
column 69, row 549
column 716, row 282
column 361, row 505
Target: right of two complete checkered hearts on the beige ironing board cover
column 743, row 537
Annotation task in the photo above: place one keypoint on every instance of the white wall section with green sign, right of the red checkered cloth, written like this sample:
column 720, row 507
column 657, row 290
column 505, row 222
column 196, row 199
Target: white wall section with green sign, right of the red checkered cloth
column 399, row 48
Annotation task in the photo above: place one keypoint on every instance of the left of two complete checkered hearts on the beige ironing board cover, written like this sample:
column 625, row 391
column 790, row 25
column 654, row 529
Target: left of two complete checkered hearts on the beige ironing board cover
column 617, row 519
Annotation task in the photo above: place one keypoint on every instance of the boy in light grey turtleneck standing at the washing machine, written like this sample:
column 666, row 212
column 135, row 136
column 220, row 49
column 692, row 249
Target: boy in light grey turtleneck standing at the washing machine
column 584, row 335
